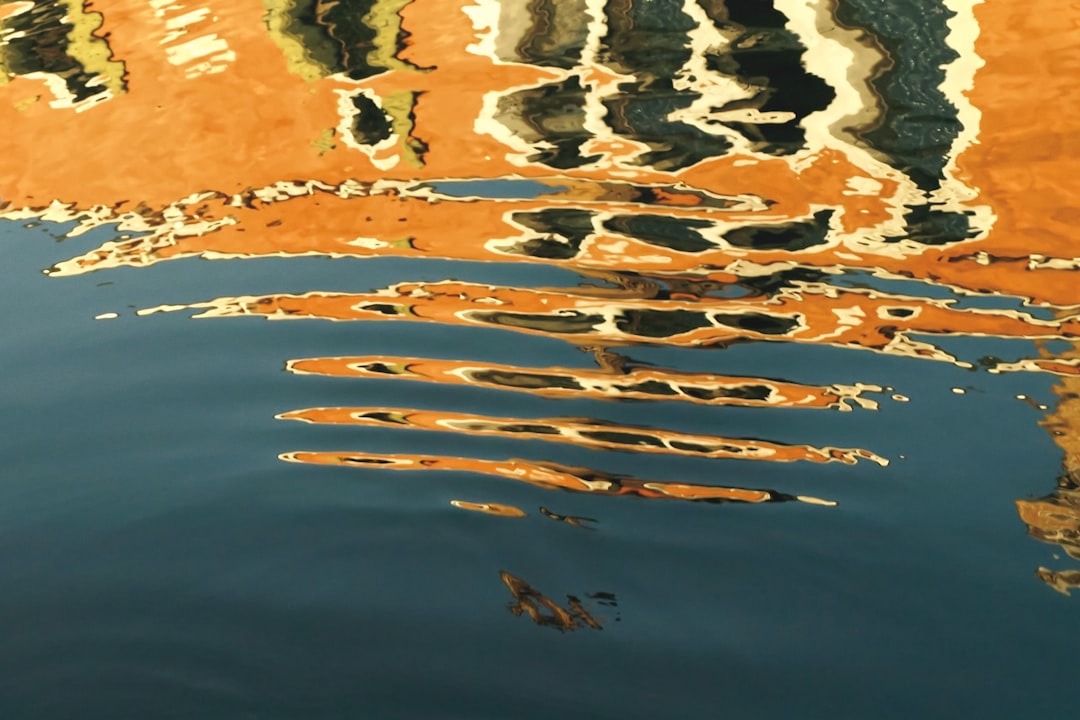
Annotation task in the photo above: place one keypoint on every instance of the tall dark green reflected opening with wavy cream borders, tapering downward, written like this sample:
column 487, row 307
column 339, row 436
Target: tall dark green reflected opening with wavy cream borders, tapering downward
column 912, row 63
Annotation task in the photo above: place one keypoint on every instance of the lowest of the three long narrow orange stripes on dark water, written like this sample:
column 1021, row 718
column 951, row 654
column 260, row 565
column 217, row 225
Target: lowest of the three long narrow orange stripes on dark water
column 552, row 477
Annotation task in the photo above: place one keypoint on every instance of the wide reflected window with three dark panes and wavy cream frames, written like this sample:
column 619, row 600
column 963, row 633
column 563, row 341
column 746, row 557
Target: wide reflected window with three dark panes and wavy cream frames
column 665, row 85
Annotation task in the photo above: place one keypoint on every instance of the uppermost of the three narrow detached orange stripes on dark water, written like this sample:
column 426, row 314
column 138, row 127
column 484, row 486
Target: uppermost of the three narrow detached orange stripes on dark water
column 632, row 384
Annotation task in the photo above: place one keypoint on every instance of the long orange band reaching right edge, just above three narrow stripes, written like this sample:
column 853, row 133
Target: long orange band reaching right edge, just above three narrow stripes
column 805, row 314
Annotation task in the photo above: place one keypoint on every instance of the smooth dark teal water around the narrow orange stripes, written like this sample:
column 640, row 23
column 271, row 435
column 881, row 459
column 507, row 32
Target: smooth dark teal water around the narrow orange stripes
column 160, row 562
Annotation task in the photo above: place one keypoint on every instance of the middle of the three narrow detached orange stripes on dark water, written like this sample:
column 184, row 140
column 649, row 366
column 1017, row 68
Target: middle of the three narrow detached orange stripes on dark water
column 585, row 432
